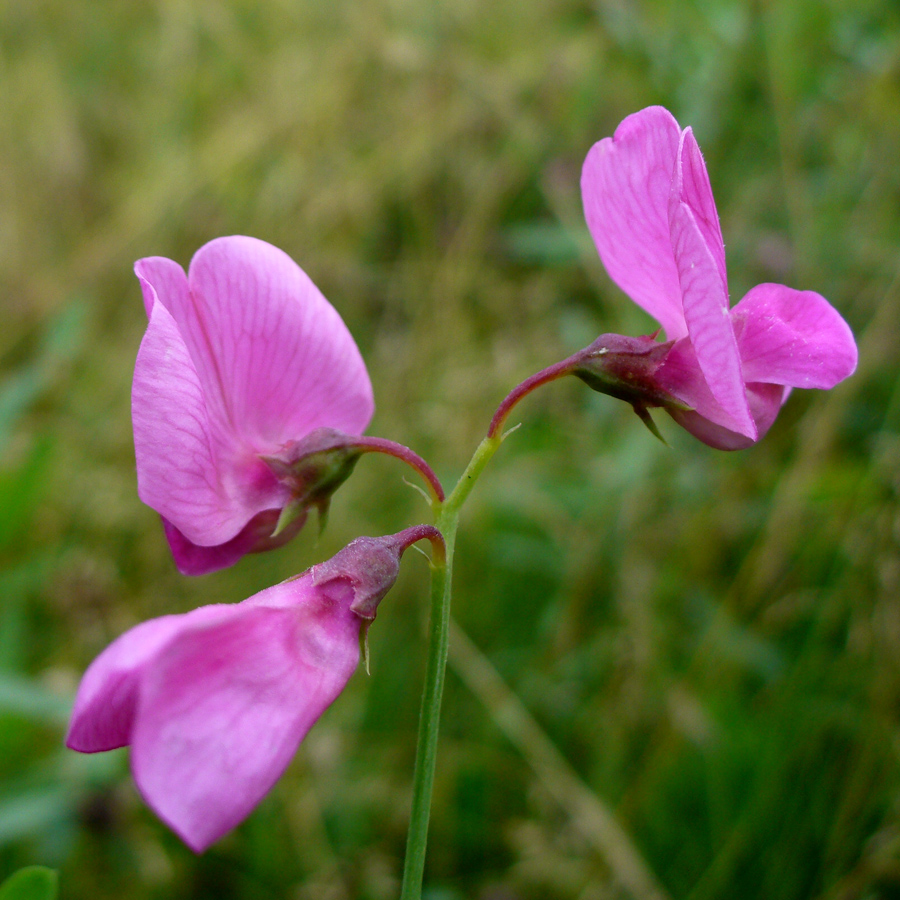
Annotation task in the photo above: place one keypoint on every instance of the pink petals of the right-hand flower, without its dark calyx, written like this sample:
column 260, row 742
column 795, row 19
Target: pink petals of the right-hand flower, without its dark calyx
column 650, row 210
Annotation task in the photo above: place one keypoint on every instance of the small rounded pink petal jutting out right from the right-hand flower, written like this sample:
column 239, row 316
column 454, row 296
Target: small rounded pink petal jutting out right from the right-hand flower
column 793, row 337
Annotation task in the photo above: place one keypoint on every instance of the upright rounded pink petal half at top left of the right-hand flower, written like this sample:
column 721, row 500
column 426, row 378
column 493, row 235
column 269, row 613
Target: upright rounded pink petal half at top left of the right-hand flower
column 625, row 187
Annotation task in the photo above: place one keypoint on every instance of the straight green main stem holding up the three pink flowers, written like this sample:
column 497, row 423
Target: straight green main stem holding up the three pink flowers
column 435, row 669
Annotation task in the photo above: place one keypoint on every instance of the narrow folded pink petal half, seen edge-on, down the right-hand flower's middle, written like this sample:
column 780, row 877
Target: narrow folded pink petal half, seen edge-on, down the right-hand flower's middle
column 705, row 301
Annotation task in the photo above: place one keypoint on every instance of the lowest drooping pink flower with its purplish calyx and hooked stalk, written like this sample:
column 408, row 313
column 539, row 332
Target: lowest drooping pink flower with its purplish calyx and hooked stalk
column 215, row 702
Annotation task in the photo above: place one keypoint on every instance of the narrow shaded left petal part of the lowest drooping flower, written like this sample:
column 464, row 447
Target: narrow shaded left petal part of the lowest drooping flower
column 107, row 698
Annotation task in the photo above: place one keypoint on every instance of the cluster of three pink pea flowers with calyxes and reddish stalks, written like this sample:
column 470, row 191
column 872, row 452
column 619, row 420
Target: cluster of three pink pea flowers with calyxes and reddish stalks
column 249, row 404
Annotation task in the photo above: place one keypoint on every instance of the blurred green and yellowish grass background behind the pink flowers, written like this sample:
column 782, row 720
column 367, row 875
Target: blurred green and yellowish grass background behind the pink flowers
column 705, row 646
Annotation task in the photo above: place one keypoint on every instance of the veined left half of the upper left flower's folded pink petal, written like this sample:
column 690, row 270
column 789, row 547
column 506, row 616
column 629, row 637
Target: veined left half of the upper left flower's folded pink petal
column 184, row 470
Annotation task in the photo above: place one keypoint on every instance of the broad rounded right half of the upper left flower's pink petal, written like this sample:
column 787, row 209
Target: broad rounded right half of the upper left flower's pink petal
column 274, row 357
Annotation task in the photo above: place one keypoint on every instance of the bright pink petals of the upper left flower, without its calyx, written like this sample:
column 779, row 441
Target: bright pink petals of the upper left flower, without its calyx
column 242, row 359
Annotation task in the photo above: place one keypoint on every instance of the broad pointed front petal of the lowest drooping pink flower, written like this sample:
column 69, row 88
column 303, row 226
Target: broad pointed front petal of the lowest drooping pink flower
column 224, row 707
